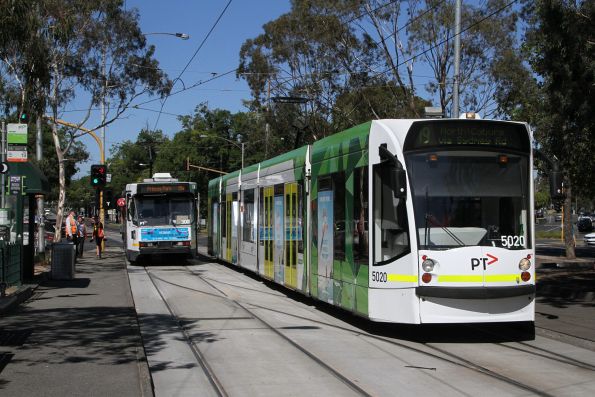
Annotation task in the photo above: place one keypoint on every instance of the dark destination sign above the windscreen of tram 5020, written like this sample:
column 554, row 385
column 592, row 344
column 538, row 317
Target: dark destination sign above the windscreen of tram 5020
column 441, row 133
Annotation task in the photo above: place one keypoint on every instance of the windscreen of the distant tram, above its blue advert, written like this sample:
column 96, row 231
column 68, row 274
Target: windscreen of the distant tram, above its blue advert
column 164, row 210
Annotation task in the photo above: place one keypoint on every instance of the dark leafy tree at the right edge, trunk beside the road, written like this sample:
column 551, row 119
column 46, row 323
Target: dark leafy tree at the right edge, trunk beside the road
column 561, row 41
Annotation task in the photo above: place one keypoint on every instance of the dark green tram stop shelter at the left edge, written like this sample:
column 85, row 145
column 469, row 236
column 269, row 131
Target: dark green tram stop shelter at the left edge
column 17, row 245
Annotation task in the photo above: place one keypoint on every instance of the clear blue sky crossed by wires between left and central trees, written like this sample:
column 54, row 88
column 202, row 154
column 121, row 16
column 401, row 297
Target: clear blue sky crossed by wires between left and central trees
column 243, row 19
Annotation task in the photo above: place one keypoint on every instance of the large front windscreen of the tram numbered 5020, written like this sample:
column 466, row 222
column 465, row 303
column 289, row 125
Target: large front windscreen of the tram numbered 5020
column 470, row 198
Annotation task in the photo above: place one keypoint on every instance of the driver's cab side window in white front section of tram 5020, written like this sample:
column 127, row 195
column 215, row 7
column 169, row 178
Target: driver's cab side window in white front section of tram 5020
column 391, row 228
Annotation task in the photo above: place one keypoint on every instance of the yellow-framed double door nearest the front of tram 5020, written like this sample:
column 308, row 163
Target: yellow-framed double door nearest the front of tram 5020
column 291, row 234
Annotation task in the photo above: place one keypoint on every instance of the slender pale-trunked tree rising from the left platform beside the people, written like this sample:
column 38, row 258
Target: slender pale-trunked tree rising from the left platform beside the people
column 95, row 47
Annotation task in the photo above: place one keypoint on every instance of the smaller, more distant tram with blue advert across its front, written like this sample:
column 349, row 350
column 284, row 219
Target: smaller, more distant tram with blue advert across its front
column 160, row 217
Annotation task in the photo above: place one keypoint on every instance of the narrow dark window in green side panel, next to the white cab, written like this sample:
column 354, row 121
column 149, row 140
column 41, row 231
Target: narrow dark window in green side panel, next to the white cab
column 360, row 215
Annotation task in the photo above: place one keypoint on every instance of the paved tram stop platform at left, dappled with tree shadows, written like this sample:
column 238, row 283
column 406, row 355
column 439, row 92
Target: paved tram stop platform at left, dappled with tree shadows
column 74, row 337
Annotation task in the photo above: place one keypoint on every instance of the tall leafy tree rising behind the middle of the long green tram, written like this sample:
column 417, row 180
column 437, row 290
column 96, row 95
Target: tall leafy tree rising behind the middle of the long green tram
column 307, row 53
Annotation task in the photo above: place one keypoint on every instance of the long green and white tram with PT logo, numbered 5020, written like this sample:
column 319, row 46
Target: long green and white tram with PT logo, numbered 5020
column 406, row 221
